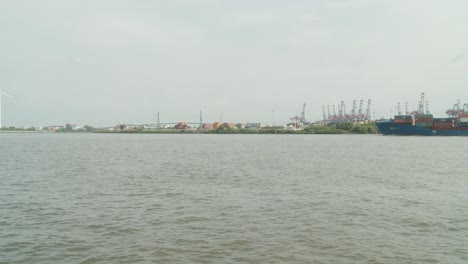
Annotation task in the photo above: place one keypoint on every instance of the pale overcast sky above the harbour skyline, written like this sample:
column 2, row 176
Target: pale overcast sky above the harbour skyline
column 107, row 62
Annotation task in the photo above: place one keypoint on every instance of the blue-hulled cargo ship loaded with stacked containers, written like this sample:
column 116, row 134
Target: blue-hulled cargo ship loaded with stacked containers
column 422, row 123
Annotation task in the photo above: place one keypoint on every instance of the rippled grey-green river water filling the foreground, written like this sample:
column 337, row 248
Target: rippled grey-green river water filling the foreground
column 104, row 198
